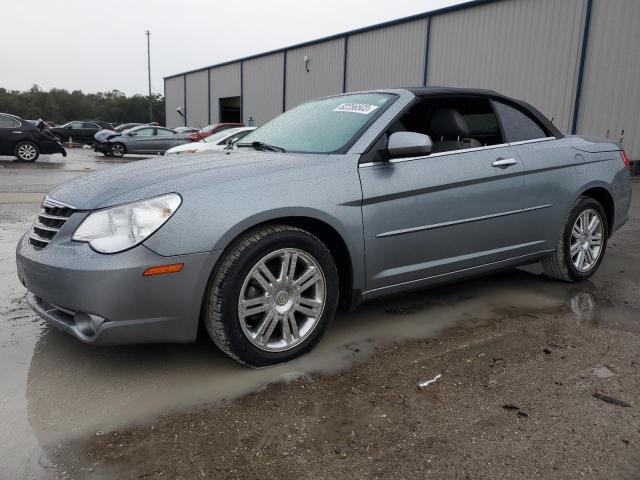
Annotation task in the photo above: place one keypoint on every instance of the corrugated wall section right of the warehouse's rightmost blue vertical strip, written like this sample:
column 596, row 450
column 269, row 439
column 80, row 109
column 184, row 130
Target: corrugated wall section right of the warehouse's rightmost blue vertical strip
column 610, row 100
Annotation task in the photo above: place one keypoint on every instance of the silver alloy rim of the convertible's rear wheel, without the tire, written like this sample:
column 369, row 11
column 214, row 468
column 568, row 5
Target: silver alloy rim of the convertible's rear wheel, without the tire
column 586, row 240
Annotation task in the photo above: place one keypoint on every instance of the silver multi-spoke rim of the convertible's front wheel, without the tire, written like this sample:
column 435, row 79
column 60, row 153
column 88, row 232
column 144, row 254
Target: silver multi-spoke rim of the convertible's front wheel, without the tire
column 282, row 299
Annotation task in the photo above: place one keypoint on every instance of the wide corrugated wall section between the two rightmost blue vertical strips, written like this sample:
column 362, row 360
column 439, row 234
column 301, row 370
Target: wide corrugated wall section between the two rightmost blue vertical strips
column 523, row 48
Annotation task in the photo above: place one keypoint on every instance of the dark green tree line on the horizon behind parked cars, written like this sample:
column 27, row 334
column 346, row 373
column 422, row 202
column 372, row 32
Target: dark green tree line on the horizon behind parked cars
column 61, row 106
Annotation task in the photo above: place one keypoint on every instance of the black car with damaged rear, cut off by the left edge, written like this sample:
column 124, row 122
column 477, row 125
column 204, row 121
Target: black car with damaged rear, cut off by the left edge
column 26, row 141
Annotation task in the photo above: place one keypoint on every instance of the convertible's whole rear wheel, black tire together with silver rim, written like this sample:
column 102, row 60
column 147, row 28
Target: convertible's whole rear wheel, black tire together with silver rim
column 562, row 264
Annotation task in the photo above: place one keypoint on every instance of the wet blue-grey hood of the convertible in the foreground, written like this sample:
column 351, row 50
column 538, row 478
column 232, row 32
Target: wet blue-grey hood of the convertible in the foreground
column 147, row 178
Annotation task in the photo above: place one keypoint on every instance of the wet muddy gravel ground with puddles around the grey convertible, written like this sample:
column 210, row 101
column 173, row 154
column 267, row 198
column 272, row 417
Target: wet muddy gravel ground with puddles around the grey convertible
column 520, row 359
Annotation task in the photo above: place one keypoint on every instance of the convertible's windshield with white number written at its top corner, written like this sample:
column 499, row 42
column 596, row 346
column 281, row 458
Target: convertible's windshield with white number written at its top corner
column 320, row 126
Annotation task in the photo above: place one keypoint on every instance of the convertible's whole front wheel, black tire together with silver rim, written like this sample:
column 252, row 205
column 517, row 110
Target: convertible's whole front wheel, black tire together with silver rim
column 238, row 334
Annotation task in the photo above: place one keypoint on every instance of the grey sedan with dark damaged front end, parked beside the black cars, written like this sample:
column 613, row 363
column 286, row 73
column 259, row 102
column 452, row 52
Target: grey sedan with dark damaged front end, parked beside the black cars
column 143, row 139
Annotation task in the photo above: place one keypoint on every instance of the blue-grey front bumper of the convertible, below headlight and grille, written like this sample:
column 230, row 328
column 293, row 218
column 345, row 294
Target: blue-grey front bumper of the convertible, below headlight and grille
column 105, row 300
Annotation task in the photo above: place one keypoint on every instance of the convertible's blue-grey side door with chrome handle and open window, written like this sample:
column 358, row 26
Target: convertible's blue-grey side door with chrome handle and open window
column 451, row 212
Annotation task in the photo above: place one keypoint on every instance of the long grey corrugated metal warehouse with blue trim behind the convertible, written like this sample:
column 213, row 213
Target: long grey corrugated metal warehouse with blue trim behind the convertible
column 578, row 61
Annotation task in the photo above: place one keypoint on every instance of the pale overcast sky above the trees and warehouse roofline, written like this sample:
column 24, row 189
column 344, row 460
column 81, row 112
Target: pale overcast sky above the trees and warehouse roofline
column 100, row 45
